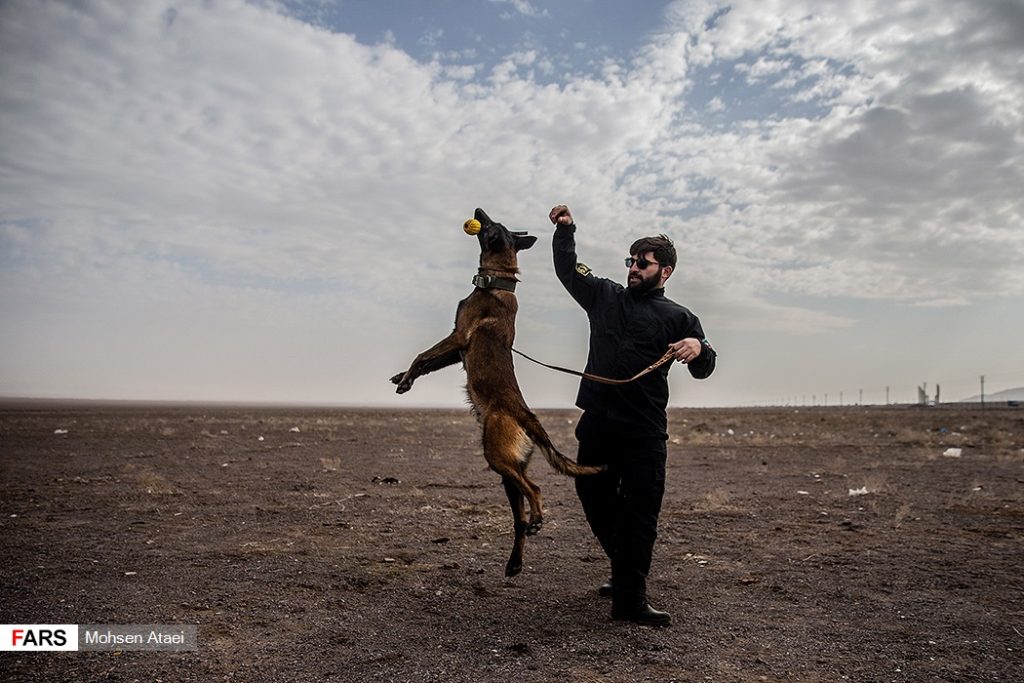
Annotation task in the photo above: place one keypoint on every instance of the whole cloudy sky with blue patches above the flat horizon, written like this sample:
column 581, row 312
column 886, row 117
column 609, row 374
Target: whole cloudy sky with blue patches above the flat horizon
column 264, row 201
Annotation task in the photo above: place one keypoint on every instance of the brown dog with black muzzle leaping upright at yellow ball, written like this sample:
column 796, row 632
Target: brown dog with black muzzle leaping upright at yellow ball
column 485, row 329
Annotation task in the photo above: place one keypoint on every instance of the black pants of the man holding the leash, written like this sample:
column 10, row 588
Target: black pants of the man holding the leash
column 622, row 505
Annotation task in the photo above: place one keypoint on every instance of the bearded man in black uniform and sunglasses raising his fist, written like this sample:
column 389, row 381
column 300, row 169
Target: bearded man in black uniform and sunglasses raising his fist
column 625, row 426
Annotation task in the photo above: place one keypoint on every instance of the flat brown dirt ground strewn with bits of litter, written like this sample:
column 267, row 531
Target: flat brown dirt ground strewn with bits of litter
column 369, row 545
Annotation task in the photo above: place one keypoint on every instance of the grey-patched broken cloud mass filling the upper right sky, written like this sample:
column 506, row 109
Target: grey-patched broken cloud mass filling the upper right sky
column 905, row 187
